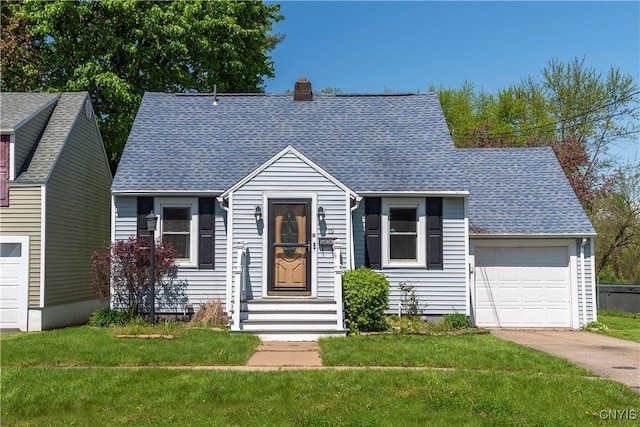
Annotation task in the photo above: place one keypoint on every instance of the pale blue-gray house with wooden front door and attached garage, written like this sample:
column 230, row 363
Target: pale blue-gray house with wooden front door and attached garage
column 269, row 198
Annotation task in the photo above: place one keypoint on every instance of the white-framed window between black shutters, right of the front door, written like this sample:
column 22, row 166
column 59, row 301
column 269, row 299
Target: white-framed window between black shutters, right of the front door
column 403, row 232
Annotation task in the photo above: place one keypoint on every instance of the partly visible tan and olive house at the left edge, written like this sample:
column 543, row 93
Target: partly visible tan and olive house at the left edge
column 54, row 182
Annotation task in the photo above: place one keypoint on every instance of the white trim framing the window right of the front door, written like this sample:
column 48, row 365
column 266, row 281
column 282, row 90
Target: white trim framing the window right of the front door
column 421, row 244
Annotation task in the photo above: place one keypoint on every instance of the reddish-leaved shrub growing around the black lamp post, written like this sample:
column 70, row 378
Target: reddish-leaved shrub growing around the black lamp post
column 121, row 272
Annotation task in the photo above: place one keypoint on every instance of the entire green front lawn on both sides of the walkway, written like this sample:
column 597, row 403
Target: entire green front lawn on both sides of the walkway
column 84, row 376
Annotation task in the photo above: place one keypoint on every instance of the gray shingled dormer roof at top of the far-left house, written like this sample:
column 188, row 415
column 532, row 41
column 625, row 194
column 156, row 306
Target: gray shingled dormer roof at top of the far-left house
column 16, row 107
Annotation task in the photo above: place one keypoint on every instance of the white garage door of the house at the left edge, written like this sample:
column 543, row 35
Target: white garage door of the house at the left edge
column 13, row 277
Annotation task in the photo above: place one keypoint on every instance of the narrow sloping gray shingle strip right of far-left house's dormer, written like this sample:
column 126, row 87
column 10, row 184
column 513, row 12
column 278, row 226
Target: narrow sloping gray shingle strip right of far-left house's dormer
column 69, row 105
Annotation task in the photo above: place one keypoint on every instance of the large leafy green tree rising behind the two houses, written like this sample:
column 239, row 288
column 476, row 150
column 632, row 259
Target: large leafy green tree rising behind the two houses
column 118, row 49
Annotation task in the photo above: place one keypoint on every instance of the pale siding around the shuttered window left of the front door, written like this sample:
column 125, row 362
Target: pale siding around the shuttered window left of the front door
column 202, row 285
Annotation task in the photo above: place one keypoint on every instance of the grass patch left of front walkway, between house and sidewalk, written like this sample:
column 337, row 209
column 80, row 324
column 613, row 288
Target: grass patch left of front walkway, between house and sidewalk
column 91, row 346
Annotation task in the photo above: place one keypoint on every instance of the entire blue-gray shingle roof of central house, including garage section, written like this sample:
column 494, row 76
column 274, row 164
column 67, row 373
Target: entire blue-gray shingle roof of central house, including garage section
column 371, row 143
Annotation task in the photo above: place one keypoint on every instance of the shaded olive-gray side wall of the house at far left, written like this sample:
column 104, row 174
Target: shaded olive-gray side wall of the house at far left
column 78, row 207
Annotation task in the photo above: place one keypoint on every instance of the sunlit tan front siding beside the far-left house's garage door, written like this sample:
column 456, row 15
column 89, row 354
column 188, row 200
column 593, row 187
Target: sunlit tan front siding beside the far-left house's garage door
column 23, row 218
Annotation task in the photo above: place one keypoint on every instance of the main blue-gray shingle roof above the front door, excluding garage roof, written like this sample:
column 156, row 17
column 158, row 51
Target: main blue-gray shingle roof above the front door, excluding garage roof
column 368, row 142
